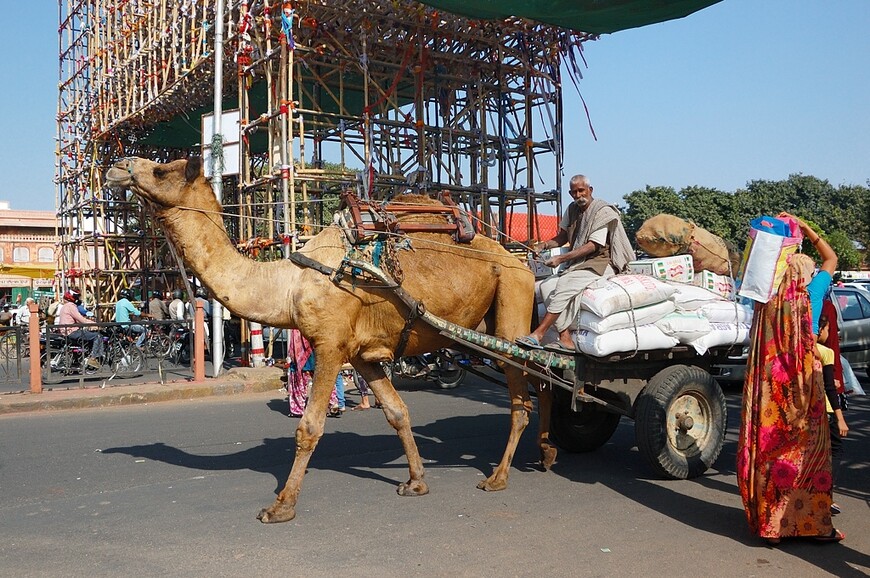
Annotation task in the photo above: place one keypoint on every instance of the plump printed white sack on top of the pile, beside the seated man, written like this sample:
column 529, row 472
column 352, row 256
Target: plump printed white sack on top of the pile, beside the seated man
column 623, row 292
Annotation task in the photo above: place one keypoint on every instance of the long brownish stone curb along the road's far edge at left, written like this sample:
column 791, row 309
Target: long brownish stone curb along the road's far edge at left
column 233, row 383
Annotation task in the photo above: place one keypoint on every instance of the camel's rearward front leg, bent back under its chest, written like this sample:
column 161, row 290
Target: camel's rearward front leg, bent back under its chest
column 397, row 415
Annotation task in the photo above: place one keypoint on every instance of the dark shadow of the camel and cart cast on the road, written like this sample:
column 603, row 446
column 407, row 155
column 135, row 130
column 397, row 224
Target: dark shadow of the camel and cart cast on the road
column 476, row 442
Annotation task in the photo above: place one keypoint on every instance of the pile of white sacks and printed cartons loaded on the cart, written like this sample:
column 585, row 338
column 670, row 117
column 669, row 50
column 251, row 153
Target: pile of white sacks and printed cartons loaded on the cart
column 657, row 305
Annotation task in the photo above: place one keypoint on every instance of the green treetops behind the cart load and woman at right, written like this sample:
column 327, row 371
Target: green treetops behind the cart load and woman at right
column 841, row 214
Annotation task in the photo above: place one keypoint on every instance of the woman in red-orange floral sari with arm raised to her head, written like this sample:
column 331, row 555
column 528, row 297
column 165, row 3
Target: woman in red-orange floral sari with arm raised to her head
column 784, row 450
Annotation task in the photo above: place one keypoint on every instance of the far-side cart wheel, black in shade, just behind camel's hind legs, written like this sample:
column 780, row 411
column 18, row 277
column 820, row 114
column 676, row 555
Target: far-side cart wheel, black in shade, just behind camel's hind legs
column 585, row 430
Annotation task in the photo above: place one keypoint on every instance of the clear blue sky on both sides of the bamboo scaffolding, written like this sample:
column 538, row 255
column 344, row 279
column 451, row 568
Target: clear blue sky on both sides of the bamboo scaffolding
column 743, row 90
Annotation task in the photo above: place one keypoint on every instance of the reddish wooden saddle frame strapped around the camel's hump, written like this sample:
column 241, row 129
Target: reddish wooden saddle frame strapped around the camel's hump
column 364, row 221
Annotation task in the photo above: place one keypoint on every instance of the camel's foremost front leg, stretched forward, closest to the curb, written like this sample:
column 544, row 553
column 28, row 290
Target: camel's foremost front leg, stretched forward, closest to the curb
column 308, row 434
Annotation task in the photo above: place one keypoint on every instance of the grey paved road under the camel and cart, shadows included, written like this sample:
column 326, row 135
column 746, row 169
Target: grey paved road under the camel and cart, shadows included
column 173, row 489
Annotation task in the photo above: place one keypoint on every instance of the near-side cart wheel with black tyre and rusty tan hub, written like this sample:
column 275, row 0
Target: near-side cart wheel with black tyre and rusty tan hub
column 680, row 421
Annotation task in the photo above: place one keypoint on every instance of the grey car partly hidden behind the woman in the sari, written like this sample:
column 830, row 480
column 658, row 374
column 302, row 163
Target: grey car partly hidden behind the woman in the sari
column 853, row 319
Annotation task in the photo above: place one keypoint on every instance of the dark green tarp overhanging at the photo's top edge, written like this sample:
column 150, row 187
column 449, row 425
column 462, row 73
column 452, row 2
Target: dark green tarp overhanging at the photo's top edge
column 595, row 16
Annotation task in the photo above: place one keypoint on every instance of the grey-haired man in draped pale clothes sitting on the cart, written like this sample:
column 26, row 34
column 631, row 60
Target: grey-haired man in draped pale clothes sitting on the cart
column 599, row 248
